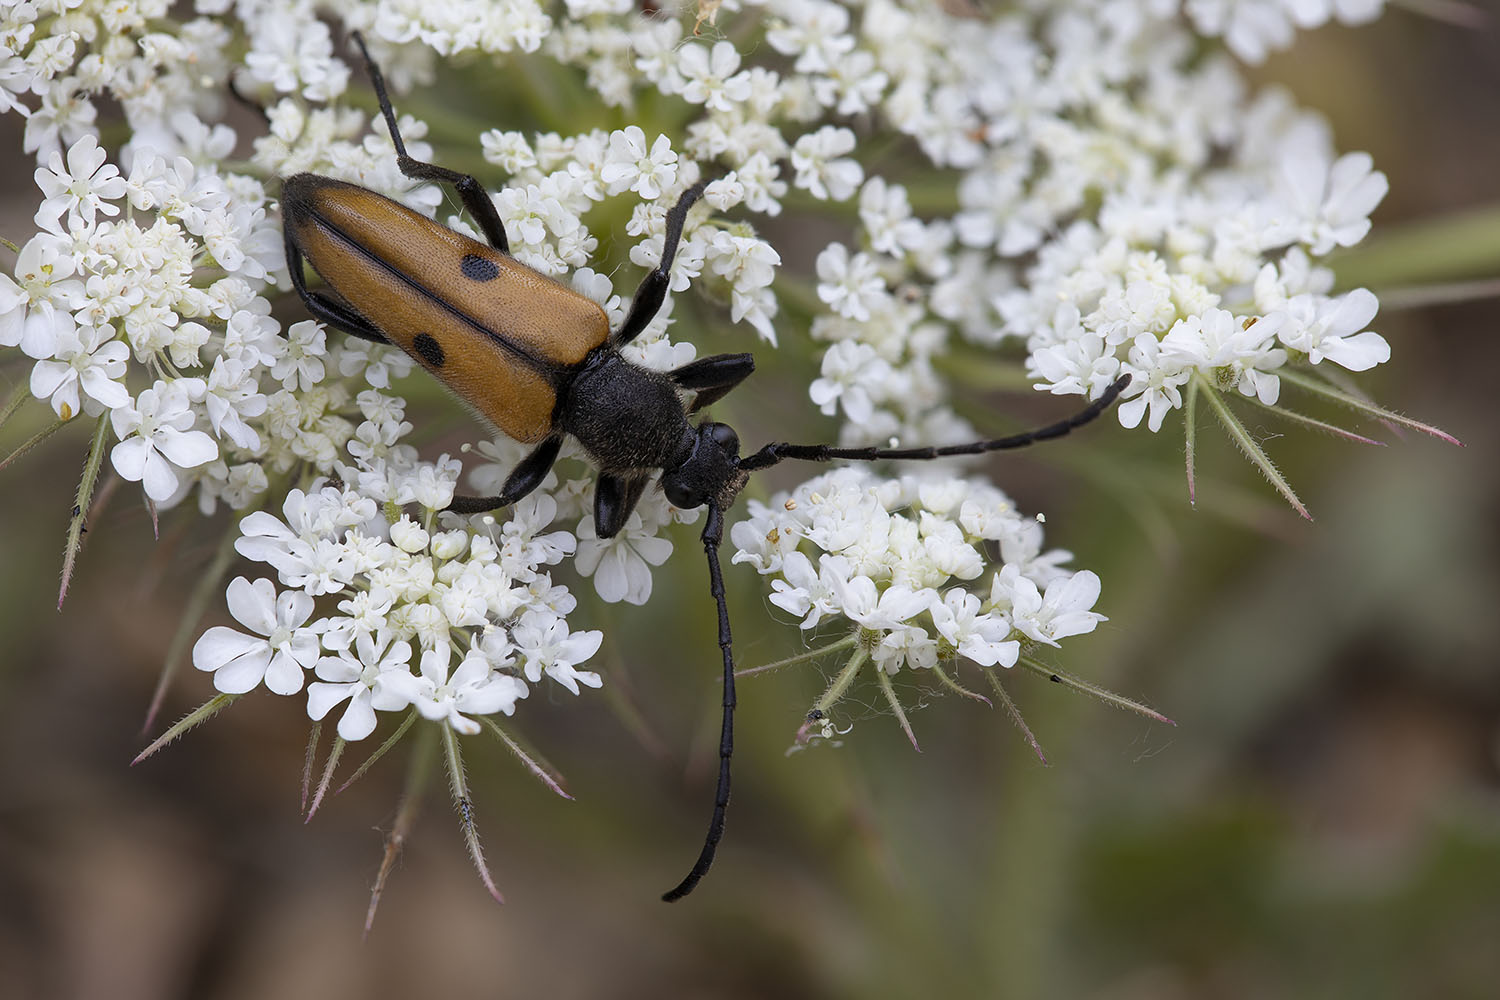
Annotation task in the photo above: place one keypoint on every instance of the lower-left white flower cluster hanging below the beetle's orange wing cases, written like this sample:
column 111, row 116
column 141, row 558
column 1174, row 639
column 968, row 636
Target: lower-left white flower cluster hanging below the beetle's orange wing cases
column 452, row 624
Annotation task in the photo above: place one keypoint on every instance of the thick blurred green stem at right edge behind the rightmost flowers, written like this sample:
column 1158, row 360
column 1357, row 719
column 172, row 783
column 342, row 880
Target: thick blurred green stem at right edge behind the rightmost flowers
column 1453, row 248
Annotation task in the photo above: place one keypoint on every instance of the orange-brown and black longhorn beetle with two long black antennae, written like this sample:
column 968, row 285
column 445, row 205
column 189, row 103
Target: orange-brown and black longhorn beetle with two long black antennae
column 539, row 362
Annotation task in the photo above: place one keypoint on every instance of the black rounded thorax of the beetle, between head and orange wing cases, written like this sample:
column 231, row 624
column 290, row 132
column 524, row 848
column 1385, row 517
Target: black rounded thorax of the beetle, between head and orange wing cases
column 626, row 418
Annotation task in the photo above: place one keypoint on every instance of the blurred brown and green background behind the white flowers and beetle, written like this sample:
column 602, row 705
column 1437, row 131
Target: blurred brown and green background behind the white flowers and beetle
column 1324, row 822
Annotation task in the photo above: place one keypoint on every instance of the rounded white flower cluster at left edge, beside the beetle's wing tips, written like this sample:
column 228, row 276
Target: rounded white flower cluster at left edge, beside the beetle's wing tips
column 143, row 299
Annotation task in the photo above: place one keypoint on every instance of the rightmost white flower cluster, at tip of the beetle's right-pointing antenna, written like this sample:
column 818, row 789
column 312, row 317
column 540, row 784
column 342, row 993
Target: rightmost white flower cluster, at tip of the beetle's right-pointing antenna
column 1217, row 284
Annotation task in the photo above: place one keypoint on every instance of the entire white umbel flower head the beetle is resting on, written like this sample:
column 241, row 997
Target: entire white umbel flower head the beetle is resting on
column 1120, row 202
